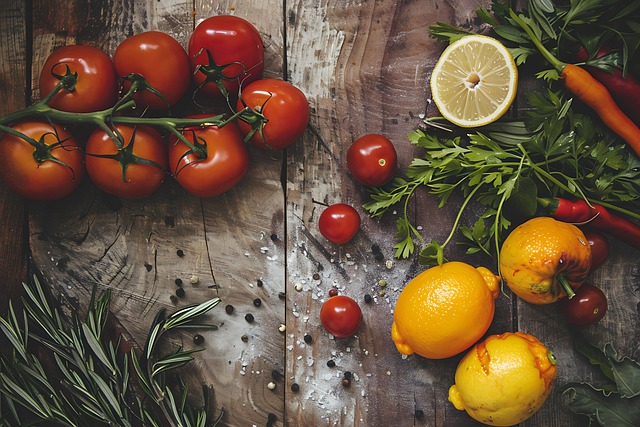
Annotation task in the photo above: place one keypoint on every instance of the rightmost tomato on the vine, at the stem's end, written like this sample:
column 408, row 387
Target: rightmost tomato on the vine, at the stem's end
column 285, row 110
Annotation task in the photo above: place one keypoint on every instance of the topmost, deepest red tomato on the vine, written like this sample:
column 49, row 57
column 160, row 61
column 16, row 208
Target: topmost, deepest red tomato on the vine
column 236, row 50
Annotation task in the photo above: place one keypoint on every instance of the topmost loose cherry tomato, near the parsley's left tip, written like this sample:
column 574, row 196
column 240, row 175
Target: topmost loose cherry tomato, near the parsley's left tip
column 372, row 160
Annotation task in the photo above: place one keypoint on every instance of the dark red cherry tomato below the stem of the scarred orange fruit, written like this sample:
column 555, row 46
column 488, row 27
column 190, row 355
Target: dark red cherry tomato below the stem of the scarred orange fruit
column 587, row 307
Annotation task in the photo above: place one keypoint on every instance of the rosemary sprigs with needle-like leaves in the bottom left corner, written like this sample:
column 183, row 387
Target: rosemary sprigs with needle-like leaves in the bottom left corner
column 70, row 373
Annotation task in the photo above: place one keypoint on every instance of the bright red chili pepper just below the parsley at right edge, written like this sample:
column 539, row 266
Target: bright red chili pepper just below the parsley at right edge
column 595, row 217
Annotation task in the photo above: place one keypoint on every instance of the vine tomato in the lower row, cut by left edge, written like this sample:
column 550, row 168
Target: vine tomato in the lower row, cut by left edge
column 30, row 173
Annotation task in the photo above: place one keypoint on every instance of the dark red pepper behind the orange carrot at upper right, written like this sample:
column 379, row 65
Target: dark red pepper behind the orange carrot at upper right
column 624, row 89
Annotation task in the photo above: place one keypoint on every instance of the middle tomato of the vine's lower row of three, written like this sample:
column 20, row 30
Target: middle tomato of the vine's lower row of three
column 105, row 162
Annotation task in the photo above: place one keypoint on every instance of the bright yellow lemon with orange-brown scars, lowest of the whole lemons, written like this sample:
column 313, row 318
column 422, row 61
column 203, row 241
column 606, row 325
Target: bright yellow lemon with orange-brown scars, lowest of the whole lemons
column 504, row 380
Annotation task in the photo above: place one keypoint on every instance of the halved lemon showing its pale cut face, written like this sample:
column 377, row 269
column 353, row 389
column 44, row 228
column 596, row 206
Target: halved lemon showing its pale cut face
column 474, row 81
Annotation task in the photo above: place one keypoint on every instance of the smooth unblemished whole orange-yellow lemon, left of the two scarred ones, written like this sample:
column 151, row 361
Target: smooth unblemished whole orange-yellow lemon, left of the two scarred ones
column 444, row 310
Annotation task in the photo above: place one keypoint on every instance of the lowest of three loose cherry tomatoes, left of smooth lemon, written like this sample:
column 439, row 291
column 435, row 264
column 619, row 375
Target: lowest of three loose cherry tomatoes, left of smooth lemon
column 341, row 316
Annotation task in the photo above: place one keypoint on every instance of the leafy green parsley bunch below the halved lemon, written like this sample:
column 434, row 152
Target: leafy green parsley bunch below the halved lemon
column 555, row 151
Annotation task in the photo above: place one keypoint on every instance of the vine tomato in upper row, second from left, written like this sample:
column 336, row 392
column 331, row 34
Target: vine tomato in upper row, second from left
column 161, row 60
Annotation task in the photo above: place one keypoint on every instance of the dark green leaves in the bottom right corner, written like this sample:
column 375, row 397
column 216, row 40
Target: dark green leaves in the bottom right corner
column 615, row 403
